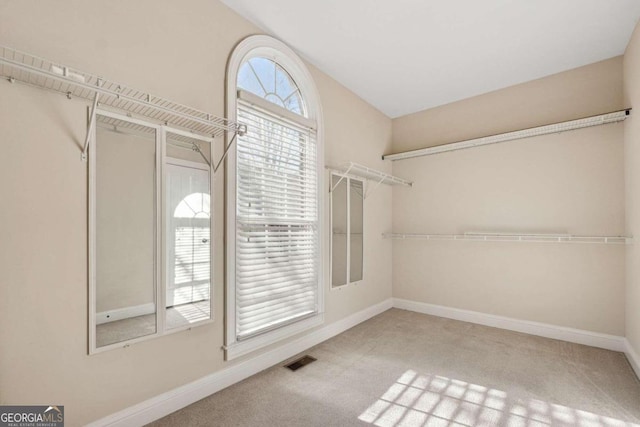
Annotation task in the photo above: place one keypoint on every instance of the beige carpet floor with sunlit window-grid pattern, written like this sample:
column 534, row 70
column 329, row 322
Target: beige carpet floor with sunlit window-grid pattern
column 408, row 369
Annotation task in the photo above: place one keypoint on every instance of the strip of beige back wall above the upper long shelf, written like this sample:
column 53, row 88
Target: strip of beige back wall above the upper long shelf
column 582, row 92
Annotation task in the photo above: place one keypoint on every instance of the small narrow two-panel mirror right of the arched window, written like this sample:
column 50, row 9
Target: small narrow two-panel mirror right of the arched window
column 347, row 209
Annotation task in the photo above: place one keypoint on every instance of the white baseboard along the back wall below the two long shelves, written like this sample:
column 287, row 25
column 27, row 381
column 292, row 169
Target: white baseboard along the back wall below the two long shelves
column 594, row 339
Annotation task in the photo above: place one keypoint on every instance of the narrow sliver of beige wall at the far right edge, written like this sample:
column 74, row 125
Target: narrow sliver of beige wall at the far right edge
column 632, row 178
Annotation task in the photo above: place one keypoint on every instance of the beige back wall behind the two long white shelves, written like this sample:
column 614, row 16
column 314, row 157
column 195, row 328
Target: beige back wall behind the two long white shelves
column 570, row 183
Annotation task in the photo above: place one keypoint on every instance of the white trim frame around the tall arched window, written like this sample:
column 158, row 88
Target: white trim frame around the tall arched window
column 268, row 47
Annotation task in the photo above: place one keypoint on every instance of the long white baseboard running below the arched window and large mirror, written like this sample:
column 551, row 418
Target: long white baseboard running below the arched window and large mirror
column 173, row 400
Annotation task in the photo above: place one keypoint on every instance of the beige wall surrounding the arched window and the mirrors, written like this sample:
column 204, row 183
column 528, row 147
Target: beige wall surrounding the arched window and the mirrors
column 43, row 223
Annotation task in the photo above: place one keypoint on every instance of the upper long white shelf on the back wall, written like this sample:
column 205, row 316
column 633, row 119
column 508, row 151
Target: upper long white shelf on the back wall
column 614, row 117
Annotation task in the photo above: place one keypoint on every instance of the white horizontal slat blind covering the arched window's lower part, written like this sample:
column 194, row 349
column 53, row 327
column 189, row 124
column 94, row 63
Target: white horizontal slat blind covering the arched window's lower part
column 277, row 239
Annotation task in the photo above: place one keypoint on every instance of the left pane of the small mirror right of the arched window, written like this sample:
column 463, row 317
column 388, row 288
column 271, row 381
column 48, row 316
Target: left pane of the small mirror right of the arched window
column 339, row 231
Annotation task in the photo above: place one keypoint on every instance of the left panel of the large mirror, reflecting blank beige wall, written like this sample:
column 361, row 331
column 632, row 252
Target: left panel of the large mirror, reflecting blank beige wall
column 125, row 226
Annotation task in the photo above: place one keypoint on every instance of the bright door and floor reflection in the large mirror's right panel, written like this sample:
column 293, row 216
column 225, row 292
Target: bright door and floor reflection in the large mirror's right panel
column 188, row 243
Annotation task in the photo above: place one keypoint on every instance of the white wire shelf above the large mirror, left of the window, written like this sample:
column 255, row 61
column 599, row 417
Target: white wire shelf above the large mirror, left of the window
column 17, row 66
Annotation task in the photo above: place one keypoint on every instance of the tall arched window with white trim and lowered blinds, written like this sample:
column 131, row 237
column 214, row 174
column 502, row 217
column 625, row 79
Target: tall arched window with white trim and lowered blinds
column 274, row 244
